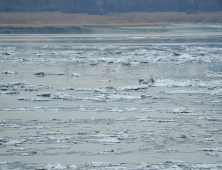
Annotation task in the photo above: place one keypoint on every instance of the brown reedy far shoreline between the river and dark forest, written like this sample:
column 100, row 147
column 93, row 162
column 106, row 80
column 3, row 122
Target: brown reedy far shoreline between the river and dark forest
column 57, row 22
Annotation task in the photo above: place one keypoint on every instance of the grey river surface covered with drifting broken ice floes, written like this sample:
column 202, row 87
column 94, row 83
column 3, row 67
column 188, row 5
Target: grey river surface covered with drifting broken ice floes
column 133, row 98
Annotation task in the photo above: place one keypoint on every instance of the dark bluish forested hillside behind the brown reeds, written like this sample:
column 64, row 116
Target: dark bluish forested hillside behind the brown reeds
column 111, row 6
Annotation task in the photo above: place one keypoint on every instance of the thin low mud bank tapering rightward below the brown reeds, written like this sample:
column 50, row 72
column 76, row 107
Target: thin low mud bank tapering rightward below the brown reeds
column 19, row 29
